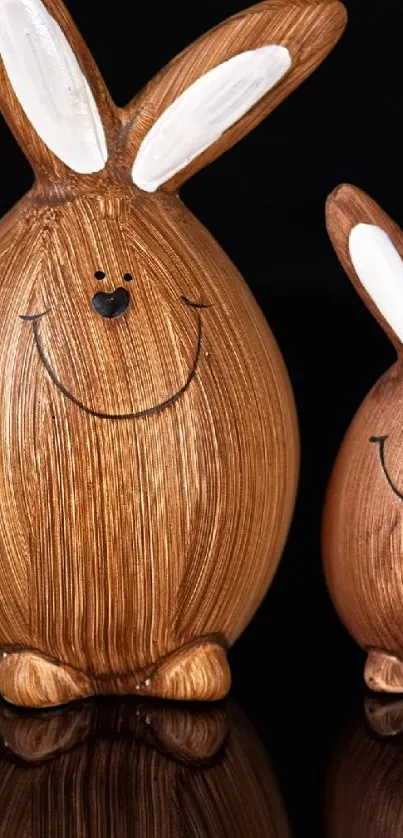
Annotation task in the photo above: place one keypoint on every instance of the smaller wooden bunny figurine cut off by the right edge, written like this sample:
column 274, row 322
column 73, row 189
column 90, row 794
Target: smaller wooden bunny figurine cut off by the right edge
column 363, row 533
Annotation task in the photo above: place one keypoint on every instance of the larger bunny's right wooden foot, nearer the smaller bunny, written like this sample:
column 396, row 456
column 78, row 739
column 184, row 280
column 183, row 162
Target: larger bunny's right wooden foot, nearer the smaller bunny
column 197, row 672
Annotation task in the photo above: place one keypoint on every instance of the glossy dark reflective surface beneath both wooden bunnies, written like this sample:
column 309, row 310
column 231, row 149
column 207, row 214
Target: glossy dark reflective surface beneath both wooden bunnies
column 311, row 764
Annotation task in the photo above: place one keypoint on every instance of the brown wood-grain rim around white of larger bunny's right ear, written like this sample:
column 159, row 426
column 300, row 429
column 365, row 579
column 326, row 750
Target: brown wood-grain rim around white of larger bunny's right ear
column 309, row 29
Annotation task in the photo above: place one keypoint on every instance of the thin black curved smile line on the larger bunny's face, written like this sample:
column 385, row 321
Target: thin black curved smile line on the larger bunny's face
column 34, row 319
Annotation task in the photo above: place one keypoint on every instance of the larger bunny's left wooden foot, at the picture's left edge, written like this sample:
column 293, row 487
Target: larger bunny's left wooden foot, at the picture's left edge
column 29, row 679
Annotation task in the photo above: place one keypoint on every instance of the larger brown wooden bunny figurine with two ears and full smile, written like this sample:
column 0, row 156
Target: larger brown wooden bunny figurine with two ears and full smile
column 148, row 438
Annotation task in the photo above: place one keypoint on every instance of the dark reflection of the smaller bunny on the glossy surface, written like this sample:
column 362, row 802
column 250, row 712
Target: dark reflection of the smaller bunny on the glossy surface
column 364, row 785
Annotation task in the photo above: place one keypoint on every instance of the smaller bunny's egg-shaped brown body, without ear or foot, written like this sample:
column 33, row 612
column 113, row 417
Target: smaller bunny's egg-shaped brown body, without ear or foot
column 363, row 521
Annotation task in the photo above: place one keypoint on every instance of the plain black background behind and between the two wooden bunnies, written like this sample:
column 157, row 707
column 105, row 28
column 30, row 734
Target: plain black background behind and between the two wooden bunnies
column 296, row 671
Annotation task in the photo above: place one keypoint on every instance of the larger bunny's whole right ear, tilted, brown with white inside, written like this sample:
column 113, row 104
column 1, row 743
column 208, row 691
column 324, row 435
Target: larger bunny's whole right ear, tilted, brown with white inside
column 220, row 88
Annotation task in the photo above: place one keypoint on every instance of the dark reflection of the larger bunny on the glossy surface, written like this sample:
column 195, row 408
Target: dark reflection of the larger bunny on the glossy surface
column 123, row 769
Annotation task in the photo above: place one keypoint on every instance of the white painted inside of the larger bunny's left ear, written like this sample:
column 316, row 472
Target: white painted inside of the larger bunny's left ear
column 50, row 85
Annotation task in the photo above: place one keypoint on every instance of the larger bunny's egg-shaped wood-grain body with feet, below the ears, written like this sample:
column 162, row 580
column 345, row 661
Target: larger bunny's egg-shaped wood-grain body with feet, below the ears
column 148, row 461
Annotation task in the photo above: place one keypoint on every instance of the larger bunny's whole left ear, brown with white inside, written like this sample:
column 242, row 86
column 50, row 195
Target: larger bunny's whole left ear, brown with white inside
column 51, row 92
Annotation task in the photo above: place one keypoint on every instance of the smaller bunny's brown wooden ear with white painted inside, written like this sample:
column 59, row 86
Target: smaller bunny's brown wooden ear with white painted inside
column 370, row 247
